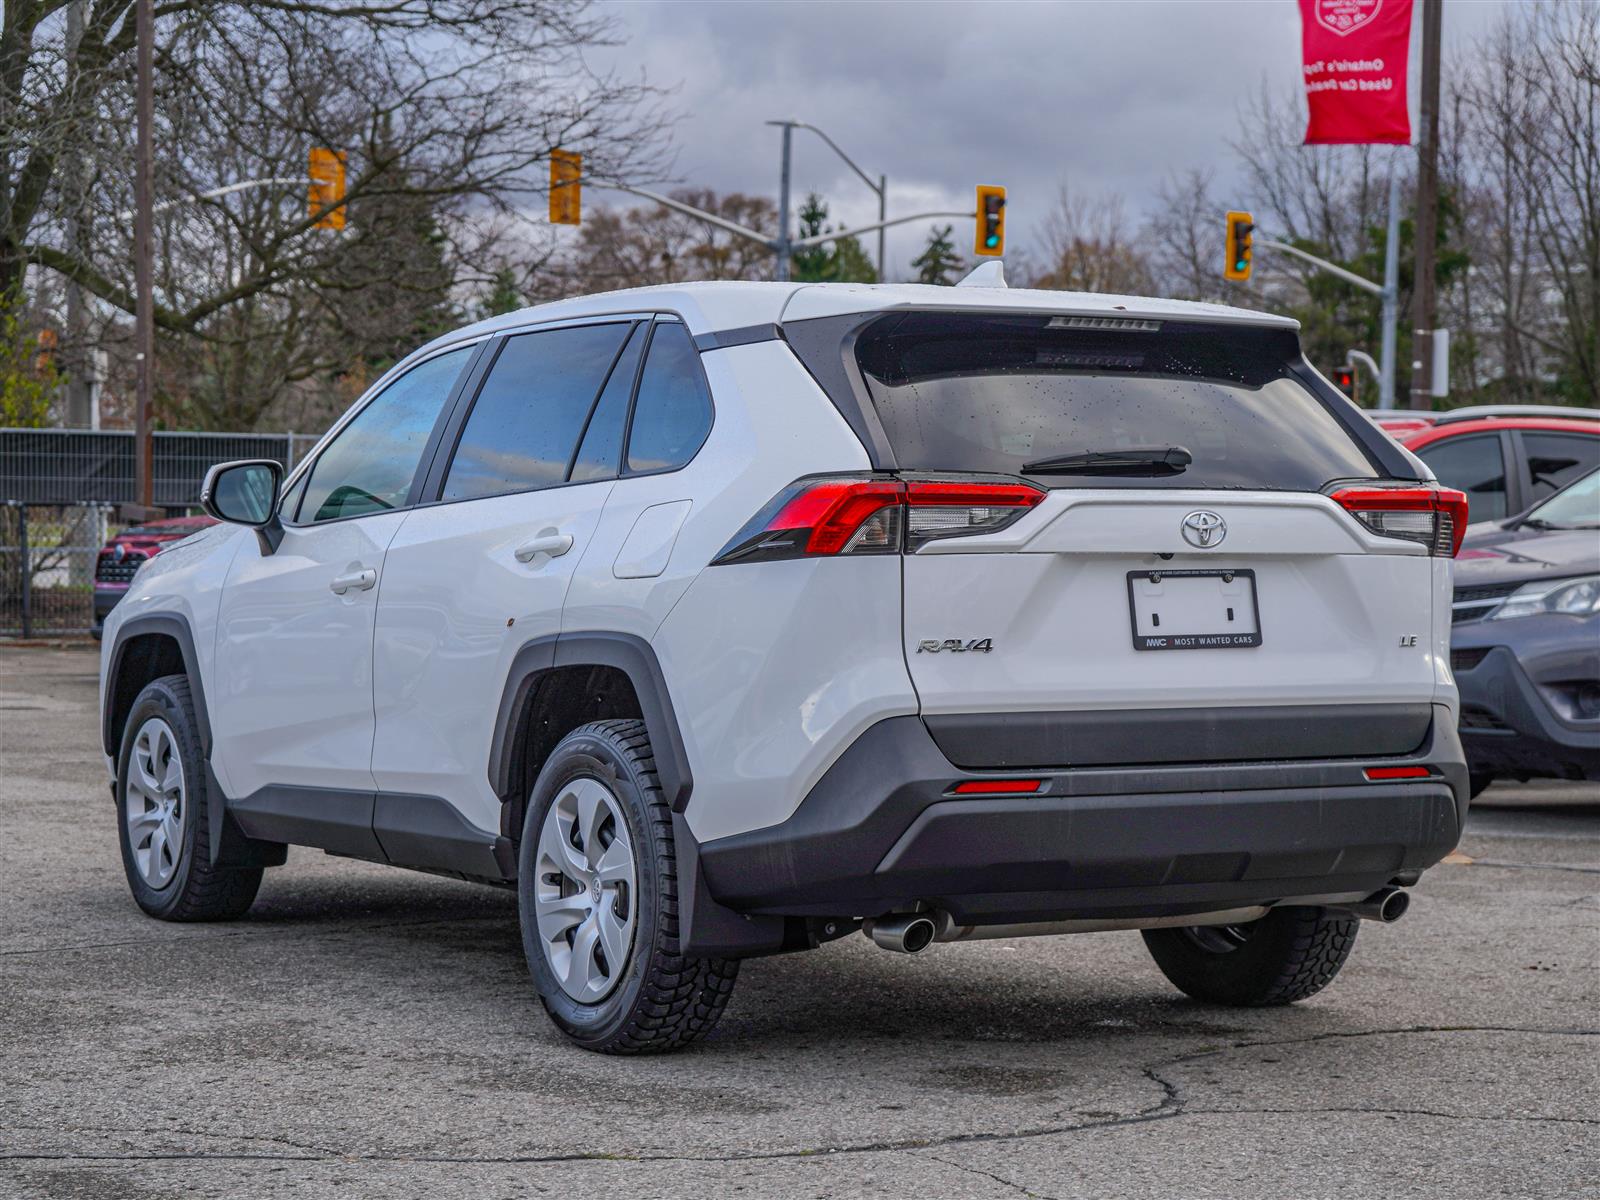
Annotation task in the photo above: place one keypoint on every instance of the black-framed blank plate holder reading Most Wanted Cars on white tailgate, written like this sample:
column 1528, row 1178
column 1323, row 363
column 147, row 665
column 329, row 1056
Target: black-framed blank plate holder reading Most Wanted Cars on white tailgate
column 1194, row 609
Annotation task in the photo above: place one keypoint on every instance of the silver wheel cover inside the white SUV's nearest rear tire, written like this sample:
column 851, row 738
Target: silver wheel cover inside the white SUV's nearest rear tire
column 585, row 890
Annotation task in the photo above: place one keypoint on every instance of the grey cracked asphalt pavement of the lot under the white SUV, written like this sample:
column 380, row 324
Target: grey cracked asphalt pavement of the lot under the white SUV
column 369, row 1031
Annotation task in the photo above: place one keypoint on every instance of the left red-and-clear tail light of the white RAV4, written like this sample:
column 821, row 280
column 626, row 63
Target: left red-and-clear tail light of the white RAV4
column 876, row 514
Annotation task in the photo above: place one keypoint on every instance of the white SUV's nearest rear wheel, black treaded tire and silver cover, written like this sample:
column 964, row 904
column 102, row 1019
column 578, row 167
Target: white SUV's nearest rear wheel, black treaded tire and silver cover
column 655, row 999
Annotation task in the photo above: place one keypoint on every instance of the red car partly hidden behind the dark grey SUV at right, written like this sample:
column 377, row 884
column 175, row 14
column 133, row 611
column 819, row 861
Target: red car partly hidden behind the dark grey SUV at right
column 1508, row 463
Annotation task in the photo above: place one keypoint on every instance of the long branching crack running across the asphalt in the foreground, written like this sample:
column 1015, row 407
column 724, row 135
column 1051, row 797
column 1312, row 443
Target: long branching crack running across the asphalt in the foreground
column 1174, row 1105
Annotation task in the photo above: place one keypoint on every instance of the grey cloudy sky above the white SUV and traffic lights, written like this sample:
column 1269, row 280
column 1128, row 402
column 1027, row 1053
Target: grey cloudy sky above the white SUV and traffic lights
column 1103, row 95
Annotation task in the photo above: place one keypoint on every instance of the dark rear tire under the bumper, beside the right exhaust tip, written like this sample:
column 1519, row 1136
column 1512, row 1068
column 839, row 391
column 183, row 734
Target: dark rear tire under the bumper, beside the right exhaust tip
column 1287, row 956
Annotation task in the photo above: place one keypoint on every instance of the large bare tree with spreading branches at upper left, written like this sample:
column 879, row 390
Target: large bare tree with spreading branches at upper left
column 447, row 111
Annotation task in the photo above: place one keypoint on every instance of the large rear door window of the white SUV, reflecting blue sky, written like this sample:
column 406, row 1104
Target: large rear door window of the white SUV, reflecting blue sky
column 532, row 410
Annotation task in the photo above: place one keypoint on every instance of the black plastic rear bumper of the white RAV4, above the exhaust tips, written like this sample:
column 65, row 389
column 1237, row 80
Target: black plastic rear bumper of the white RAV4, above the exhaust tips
column 882, row 831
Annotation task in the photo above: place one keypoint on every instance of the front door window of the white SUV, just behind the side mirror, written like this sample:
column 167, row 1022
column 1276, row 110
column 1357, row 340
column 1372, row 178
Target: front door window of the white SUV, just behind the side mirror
column 370, row 465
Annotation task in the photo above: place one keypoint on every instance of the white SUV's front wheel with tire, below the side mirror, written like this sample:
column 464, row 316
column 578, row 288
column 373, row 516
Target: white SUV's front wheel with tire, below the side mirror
column 178, row 886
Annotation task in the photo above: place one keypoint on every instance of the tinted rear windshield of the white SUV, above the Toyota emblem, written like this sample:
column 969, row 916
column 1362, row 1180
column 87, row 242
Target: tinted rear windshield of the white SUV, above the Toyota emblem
column 996, row 393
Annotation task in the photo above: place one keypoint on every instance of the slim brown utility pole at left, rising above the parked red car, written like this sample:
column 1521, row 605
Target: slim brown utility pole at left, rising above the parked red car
column 145, row 265
